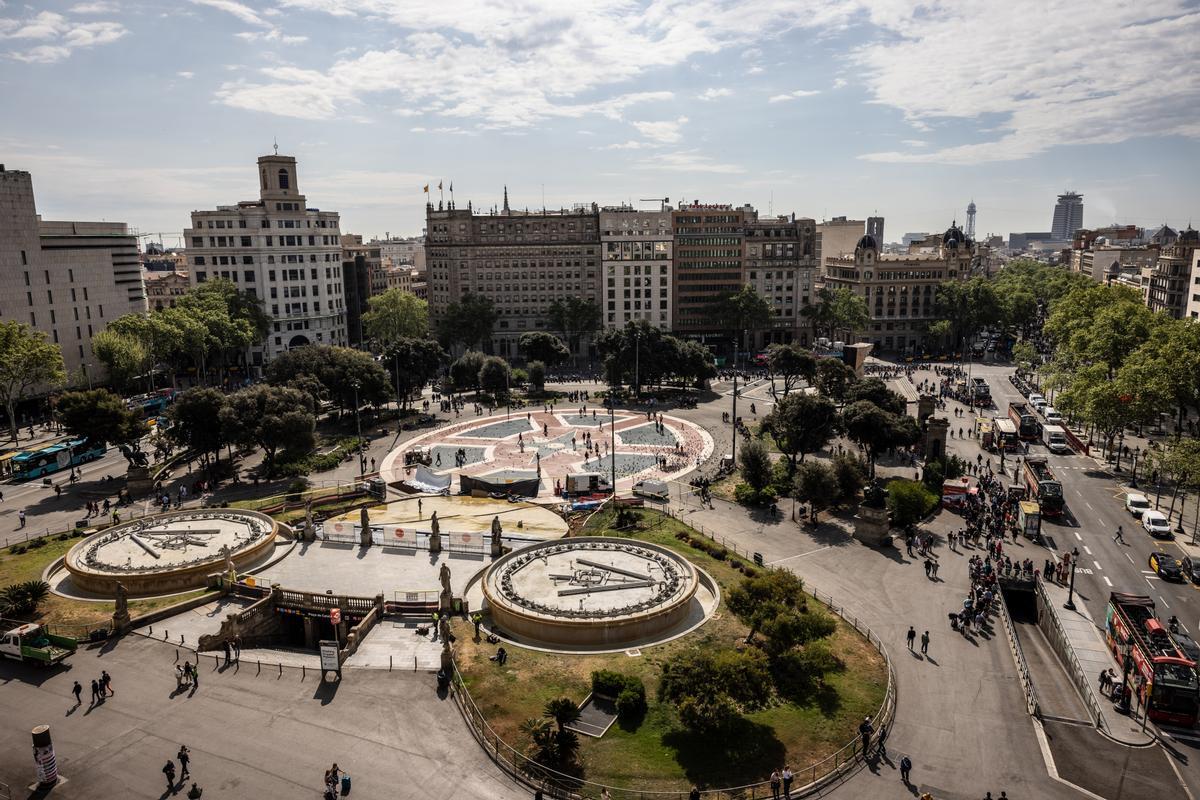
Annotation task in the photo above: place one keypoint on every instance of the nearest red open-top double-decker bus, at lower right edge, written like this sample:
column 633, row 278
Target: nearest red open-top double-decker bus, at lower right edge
column 1167, row 684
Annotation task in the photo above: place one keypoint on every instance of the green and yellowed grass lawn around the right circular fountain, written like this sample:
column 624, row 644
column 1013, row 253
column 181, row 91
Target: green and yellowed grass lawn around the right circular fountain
column 659, row 754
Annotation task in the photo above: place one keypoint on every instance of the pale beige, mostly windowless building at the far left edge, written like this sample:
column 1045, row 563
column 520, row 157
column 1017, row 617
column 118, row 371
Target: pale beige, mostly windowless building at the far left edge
column 65, row 279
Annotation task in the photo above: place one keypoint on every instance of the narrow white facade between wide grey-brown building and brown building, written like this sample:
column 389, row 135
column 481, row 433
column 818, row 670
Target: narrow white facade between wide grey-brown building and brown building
column 639, row 268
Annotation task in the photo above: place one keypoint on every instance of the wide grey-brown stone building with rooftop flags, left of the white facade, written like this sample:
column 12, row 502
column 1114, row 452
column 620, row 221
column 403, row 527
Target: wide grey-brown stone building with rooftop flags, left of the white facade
column 521, row 261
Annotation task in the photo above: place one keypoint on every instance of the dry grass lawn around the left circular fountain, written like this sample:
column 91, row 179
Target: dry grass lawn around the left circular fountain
column 64, row 612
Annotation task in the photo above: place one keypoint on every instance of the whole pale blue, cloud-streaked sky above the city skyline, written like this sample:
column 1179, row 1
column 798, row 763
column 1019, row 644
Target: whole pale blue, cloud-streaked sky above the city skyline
column 142, row 111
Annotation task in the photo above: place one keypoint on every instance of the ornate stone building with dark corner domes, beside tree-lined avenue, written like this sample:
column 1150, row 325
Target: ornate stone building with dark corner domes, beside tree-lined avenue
column 901, row 290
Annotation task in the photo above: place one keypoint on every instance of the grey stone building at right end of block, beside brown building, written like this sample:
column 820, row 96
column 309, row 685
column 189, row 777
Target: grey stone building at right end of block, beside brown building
column 782, row 266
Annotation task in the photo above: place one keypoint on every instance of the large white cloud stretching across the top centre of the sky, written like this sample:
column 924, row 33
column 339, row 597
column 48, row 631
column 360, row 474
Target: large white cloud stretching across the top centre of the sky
column 532, row 55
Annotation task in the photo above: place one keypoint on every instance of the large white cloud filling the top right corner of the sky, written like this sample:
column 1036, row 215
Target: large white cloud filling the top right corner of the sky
column 1046, row 85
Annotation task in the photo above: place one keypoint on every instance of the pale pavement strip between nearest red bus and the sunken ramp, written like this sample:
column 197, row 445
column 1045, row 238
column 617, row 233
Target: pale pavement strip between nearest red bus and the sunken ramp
column 1087, row 641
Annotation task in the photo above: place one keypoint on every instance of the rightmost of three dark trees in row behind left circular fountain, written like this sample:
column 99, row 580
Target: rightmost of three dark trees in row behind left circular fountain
column 272, row 418
